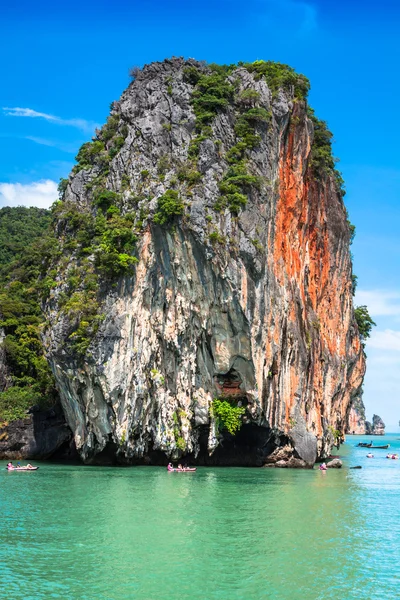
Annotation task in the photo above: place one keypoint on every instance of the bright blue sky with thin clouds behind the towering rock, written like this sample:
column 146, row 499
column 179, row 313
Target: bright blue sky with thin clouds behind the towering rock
column 65, row 63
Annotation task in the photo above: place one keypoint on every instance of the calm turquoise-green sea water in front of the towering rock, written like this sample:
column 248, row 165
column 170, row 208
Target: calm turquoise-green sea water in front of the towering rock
column 76, row 532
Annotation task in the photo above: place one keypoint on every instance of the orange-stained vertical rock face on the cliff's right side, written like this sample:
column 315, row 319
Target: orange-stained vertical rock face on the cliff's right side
column 314, row 265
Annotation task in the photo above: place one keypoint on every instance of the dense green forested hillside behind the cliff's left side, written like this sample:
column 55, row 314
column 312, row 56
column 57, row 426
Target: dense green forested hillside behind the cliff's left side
column 26, row 246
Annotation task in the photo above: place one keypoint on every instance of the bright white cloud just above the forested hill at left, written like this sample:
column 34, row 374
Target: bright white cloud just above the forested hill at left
column 38, row 193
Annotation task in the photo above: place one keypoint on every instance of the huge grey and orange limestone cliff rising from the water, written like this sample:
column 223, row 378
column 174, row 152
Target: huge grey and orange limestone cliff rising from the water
column 242, row 286
